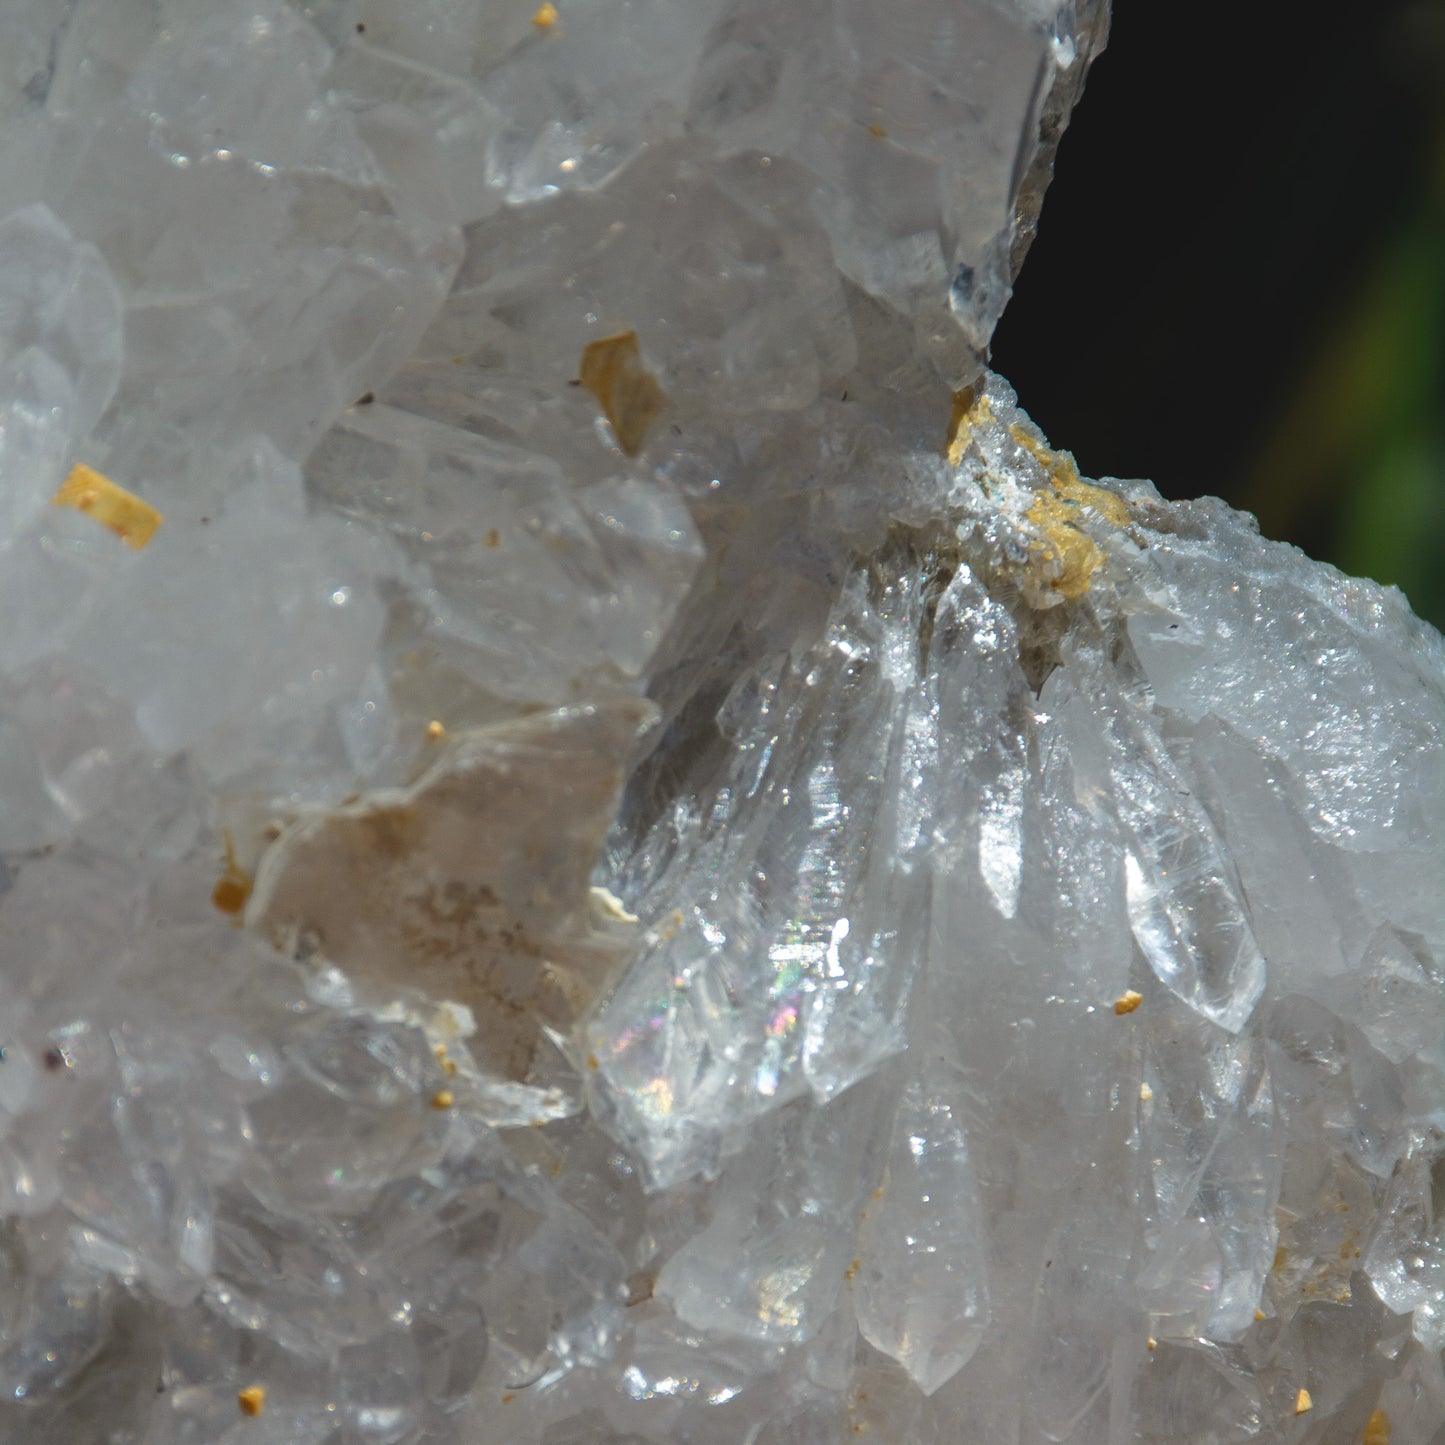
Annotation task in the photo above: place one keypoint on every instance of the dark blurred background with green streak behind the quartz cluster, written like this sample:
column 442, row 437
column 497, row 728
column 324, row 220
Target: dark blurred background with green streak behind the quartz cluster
column 1239, row 282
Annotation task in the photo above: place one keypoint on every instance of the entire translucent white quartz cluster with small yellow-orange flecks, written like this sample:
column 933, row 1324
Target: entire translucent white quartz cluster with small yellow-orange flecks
column 600, row 845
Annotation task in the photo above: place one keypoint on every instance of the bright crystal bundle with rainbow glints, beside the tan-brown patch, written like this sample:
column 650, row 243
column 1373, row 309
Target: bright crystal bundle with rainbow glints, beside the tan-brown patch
column 797, row 980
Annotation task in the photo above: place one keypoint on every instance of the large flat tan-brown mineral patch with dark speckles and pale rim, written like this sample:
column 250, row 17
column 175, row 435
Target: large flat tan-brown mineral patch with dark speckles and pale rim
column 473, row 884
